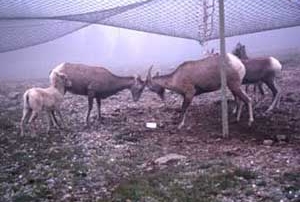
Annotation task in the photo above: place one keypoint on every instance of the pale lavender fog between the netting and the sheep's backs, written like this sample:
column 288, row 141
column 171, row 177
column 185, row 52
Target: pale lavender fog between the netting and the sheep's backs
column 127, row 52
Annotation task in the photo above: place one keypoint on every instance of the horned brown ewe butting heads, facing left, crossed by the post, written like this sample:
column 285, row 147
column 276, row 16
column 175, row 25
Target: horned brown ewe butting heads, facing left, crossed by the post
column 193, row 78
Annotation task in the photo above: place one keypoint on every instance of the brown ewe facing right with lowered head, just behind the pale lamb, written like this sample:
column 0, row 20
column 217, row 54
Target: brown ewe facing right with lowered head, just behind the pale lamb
column 98, row 83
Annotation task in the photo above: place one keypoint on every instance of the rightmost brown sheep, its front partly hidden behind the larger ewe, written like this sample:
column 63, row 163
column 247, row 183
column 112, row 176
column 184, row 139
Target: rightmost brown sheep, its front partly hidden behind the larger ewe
column 261, row 70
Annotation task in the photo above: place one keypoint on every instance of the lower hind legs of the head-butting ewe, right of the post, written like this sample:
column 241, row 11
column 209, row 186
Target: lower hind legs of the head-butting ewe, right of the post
column 246, row 99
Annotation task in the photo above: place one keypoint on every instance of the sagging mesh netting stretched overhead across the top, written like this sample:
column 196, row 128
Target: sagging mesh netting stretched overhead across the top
column 29, row 22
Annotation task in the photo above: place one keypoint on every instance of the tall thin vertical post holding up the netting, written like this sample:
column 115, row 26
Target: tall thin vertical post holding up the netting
column 225, row 130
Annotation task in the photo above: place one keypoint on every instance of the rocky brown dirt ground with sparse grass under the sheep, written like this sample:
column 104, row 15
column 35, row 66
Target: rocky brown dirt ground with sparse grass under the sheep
column 115, row 159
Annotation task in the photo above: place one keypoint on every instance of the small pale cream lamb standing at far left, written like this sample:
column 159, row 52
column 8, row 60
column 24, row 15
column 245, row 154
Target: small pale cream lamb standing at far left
column 48, row 99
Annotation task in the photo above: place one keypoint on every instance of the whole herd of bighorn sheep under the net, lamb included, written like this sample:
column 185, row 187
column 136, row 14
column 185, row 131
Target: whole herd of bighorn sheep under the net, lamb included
column 191, row 78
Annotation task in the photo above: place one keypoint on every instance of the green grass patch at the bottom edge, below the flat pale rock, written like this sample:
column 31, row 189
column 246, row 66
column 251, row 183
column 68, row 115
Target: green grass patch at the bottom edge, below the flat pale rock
column 170, row 185
